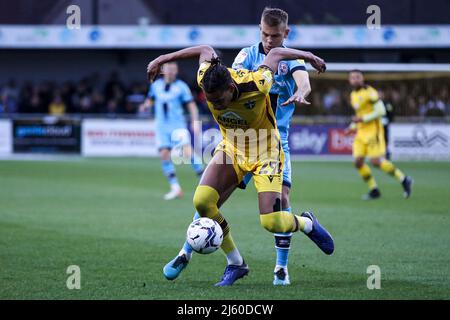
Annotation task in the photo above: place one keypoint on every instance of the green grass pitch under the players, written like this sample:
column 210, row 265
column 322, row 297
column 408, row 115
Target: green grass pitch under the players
column 107, row 216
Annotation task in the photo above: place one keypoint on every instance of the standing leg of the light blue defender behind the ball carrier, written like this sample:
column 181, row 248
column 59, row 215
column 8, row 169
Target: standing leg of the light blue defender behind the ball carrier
column 283, row 240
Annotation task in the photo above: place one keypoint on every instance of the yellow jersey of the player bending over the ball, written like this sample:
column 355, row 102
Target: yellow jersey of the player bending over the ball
column 250, row 114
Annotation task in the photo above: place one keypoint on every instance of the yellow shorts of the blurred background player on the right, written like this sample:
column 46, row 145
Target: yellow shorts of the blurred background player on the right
column 371, row 146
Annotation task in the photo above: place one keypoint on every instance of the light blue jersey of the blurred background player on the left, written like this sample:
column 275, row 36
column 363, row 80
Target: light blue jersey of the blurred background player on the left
column 169, row 99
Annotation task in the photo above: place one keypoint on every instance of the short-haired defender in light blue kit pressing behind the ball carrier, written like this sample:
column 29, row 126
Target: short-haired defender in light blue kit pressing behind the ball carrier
column 291, row 86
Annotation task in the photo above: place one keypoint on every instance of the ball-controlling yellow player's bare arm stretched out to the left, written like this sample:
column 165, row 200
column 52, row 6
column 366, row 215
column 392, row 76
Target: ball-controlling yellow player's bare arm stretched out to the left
column 203, row 53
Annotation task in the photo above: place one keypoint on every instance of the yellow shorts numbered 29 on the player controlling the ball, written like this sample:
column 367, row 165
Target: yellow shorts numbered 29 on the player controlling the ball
column 267, row 169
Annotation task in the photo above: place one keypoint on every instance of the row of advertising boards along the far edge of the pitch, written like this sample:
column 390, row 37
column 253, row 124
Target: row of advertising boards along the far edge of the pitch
column 137, row 137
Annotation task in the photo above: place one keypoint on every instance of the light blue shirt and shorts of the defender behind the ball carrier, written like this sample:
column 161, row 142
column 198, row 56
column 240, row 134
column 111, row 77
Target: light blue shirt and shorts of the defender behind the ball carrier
column 283, row 88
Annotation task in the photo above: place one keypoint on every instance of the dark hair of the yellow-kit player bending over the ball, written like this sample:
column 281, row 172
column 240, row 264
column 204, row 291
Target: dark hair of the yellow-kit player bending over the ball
column 217, row 77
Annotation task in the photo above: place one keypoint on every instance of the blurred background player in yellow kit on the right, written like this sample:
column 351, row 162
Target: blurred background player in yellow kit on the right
column 369, row 140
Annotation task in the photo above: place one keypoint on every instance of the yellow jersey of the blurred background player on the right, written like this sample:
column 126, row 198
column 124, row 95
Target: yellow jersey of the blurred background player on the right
column 363, row 101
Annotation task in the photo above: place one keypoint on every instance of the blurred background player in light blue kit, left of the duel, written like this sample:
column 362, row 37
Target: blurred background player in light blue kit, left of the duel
column 169, row 95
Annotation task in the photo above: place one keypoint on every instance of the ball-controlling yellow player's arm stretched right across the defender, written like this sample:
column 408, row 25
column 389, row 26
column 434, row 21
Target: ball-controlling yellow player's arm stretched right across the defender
column 278, row 54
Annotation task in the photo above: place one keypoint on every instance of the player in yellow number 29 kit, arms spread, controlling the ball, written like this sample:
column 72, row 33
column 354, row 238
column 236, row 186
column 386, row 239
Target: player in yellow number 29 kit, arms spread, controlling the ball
column 239, row 102
